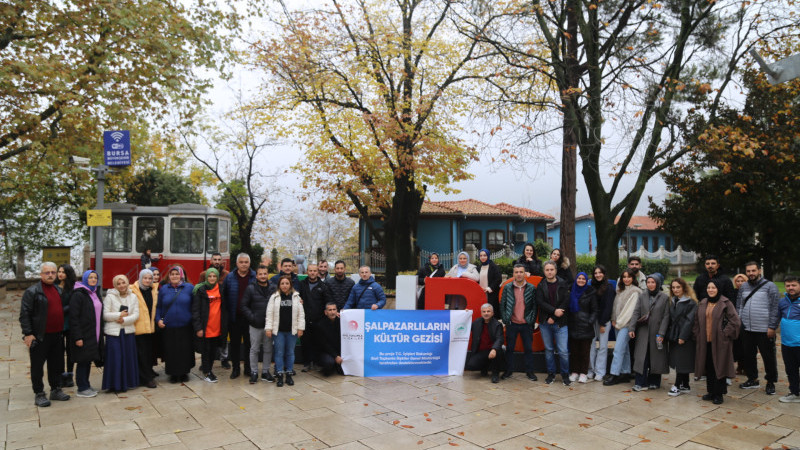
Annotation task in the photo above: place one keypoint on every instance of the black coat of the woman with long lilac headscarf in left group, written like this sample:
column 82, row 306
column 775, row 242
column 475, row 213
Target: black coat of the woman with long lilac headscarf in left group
column 83, row 326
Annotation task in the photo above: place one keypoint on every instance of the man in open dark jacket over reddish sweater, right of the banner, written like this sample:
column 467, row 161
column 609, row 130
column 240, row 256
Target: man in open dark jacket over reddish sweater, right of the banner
column 518, row 308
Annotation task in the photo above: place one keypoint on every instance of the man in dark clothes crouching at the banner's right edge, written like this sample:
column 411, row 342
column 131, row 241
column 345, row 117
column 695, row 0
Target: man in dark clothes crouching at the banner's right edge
column 487, row 344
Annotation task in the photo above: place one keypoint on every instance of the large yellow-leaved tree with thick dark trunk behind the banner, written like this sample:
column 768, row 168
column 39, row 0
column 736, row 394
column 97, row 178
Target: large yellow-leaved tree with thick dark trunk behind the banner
column 375, row 91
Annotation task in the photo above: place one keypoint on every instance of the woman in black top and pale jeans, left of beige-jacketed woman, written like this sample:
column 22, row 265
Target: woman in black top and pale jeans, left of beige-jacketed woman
column 604, row 291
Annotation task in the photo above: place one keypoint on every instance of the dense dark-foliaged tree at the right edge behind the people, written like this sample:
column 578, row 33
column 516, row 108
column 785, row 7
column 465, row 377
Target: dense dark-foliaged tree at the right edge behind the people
column 743, row 172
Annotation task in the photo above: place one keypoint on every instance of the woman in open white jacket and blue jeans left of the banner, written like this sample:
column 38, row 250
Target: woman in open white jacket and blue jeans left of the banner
column 285, row 321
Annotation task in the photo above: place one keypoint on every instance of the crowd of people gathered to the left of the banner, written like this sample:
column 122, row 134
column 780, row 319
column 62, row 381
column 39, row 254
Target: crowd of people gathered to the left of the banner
column 126, row 330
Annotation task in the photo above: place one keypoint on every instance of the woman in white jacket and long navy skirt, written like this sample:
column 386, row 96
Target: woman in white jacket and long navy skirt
column 120, row 313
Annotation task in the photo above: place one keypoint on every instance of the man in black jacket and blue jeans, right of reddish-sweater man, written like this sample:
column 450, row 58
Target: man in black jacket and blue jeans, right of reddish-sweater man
column 552, row 298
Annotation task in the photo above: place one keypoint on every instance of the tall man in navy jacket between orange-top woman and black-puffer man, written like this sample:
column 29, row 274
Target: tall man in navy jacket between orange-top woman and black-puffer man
column 232, row 291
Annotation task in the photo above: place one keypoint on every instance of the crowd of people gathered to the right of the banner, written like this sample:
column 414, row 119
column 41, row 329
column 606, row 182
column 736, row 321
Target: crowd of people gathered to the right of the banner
column 702, row 330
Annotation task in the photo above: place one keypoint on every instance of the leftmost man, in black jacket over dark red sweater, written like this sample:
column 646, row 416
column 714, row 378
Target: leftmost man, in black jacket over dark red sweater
column 42, row 319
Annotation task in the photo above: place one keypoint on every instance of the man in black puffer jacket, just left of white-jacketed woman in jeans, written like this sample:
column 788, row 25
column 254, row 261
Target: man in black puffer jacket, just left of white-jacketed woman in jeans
column 254, row 309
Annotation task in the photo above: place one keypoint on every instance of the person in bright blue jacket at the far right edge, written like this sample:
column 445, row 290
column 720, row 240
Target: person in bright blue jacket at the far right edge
column 790, row 337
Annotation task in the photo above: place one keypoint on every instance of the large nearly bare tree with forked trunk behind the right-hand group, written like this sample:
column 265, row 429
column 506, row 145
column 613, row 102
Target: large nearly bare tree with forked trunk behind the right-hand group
column 624, row 75
